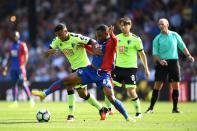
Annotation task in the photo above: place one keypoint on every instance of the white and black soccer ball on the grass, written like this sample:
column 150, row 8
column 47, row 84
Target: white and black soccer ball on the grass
column 43, row 115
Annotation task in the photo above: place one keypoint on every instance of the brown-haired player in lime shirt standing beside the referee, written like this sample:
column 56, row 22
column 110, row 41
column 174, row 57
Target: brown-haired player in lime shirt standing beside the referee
column 129, row 46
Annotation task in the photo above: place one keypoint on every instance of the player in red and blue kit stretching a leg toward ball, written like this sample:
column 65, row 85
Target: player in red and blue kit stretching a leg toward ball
column 99, row 70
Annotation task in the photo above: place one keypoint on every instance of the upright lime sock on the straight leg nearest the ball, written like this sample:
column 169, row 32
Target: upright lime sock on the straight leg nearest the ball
column 71, row 102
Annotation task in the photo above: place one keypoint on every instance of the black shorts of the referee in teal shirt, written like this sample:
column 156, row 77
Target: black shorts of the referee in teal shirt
column 172, row 71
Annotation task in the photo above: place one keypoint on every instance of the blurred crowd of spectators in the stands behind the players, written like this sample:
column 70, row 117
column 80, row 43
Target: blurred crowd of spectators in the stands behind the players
column 36, row 21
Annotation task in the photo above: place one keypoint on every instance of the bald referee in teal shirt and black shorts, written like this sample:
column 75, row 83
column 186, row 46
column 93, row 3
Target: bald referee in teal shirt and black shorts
column 165, row 52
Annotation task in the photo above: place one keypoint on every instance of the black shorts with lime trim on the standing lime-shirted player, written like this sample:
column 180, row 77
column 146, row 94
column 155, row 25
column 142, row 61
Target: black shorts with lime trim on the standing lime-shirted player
column 124, row 75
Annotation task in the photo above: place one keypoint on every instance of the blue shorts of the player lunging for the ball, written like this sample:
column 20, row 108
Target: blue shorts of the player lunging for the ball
column 91, row 75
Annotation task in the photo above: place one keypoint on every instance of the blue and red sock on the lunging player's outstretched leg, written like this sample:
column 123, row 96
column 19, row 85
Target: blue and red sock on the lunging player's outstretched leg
column 55, row 86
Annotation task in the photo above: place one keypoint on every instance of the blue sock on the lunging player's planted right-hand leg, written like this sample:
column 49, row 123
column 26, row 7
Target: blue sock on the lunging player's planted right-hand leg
column 118, row 105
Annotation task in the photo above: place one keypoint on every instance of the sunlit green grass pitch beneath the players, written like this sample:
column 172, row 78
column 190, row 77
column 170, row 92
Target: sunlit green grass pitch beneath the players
column 23, row 118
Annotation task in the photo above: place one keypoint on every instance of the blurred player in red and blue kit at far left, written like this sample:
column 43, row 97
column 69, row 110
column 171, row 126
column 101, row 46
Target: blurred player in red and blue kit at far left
column 18, row 57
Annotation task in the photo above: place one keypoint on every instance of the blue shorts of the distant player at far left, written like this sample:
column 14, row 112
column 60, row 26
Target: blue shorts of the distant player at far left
column 18, row 75
